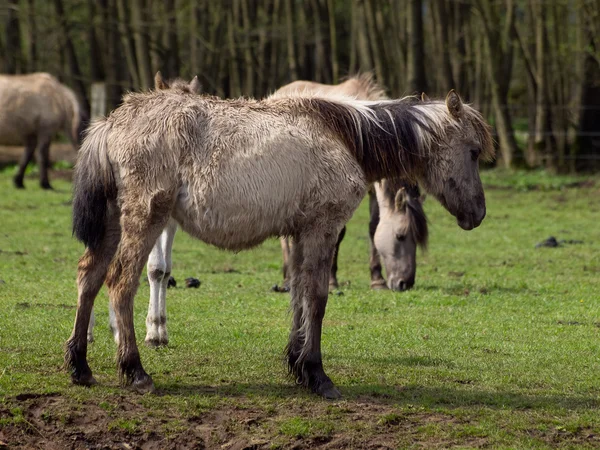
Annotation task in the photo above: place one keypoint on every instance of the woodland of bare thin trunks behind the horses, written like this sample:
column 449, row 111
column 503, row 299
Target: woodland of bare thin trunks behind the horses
column 532, row 67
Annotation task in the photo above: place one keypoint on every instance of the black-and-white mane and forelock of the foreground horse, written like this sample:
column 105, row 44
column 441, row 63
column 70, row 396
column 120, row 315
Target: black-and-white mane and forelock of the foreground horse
column 389, row 137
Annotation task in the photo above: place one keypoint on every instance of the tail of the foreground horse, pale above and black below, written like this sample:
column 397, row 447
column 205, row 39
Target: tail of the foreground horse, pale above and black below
column 93, row 186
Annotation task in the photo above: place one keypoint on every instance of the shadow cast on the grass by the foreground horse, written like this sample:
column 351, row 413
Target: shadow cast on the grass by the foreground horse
column 408, row 396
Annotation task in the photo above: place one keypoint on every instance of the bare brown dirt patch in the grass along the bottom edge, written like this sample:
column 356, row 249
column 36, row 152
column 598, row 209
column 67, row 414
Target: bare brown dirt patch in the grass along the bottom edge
column 121, row 421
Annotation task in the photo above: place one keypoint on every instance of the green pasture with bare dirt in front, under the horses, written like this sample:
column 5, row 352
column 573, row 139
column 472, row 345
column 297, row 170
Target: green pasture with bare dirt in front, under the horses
column 496, row 346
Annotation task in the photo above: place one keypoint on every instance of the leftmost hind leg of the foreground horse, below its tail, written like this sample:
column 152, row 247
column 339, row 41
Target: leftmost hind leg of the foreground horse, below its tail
column 92, row 270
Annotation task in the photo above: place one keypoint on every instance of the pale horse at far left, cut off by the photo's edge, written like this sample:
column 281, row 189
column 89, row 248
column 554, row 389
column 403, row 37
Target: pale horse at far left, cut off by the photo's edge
column 33, row 108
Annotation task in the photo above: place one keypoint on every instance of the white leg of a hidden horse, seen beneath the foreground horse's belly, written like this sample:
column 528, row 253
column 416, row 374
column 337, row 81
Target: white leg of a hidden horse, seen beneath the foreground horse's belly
column 159, row 271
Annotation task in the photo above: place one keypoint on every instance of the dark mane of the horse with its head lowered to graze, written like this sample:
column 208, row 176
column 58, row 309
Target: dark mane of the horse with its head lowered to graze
column 417, row 219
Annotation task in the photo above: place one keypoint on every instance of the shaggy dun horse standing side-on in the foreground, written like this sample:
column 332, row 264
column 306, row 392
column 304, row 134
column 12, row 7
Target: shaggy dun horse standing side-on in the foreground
column 233, row 173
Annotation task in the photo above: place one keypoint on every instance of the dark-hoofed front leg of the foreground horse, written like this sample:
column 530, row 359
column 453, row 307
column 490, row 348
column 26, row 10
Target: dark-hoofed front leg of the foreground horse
column 309, row 300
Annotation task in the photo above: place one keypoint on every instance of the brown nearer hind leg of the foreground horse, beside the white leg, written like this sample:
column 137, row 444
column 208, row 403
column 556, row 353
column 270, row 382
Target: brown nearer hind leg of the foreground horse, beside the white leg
column 141, row 225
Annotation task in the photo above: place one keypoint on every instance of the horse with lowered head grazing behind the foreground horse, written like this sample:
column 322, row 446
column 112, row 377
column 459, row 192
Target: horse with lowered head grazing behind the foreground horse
column 401, row 228
